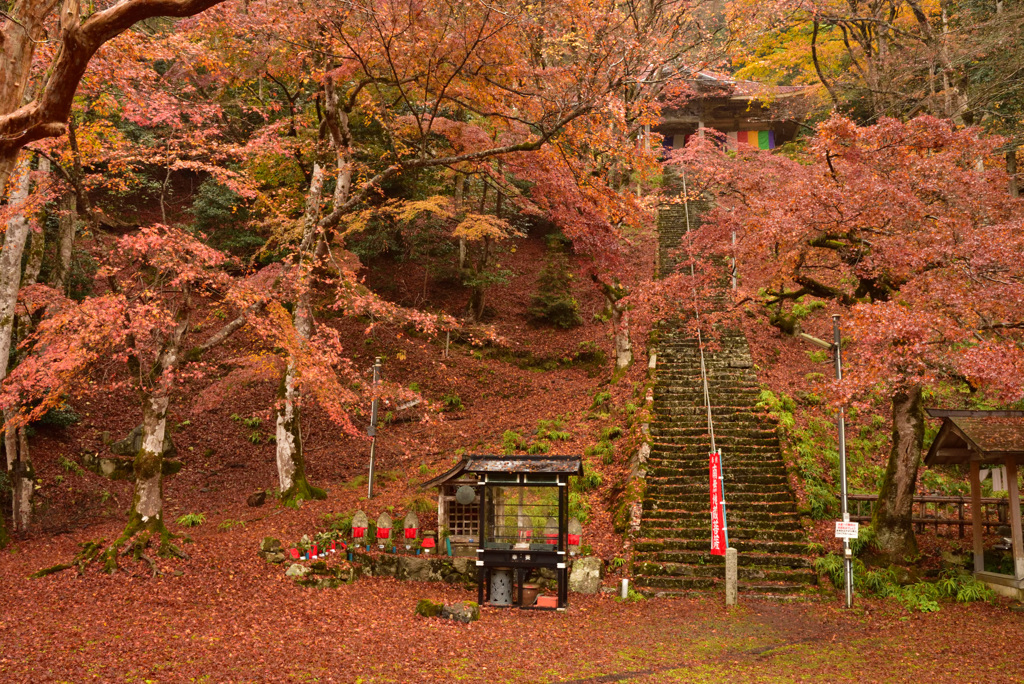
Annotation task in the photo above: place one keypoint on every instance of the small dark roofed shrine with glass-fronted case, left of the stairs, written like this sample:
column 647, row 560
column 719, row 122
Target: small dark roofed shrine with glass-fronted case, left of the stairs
column 515, row 510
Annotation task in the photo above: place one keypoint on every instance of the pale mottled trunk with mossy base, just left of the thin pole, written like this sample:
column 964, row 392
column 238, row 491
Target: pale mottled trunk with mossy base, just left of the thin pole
column 292, row 483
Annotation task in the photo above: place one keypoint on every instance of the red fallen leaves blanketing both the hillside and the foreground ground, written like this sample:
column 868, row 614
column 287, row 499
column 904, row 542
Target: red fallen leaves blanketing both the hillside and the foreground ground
column 226, row 616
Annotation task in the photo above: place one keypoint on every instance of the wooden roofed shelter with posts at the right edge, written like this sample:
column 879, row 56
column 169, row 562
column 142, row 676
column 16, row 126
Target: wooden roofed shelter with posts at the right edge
column 987, row 438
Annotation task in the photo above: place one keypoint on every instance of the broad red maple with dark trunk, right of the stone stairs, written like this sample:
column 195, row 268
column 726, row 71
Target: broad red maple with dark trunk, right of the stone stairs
column 898, row 227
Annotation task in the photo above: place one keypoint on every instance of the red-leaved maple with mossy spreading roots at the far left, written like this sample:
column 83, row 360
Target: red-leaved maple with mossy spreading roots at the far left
column 155, row 278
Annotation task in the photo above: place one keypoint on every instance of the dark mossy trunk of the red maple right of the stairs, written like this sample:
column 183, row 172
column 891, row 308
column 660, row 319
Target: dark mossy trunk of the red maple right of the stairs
column 891, row 523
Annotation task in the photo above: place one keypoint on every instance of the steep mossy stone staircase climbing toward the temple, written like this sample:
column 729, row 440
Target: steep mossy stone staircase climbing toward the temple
column 673, row 554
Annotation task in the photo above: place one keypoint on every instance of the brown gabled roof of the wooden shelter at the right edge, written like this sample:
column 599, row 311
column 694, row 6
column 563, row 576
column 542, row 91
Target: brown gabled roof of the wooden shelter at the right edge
column 977, row 436
